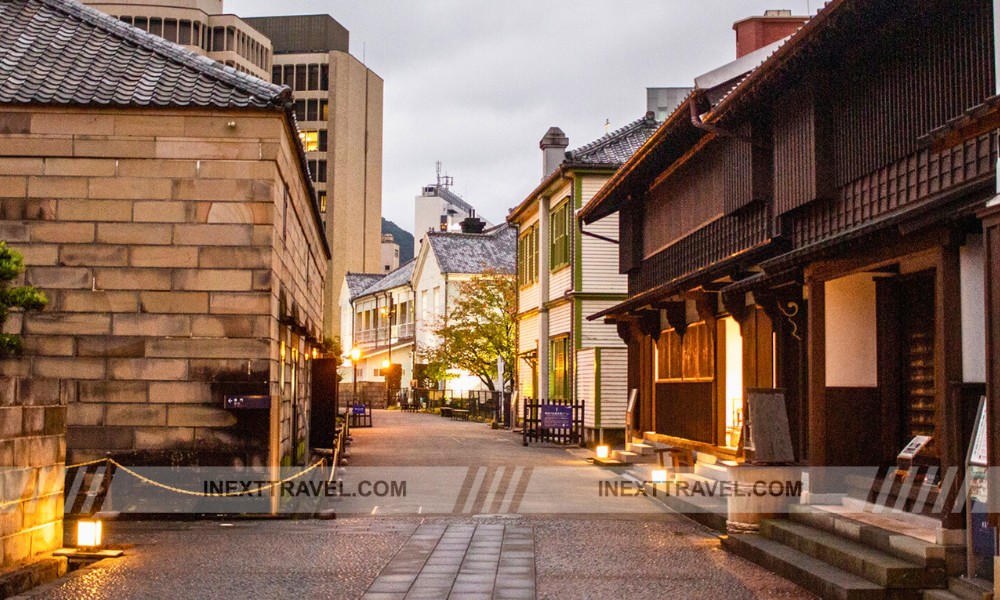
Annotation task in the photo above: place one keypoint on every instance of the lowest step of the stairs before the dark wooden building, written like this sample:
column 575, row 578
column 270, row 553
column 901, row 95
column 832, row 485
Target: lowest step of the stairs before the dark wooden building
column 814, row 575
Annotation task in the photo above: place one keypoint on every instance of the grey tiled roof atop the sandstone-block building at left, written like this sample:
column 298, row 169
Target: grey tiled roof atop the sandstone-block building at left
column 62, row 52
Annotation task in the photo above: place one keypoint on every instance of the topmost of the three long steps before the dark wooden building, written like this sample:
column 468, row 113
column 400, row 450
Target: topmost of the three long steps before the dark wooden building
column 901, row 546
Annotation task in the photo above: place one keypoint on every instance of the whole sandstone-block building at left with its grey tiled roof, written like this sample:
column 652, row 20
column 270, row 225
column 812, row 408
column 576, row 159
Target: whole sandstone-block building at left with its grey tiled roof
column 163, row 205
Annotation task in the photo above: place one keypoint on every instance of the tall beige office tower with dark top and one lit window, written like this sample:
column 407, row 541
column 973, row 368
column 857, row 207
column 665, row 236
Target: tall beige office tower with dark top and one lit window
column 339, row 108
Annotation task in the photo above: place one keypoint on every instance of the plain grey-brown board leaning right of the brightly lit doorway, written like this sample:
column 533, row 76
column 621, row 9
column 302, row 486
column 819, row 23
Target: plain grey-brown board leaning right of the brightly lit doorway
column 766, row 438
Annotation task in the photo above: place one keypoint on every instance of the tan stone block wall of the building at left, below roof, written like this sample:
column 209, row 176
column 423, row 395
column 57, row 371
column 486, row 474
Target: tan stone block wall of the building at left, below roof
column 165, row 240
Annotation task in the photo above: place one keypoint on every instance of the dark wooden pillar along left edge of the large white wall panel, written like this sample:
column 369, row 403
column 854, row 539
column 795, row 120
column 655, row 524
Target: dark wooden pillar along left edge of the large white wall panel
column 816, row 402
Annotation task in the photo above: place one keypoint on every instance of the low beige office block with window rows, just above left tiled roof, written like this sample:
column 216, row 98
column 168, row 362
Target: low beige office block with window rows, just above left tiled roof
column 198, row 25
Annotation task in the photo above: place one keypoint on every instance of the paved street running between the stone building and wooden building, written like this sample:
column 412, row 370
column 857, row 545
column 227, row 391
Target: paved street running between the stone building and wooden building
column 470, row 554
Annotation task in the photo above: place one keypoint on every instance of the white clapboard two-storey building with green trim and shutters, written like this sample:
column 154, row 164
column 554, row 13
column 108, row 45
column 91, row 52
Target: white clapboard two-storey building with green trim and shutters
column 567, row 272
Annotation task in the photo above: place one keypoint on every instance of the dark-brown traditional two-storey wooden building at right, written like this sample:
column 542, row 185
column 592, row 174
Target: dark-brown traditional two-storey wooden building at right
column 813, row 227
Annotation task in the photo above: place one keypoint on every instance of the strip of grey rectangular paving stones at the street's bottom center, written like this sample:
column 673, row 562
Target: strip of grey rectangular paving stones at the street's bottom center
column 460, row 562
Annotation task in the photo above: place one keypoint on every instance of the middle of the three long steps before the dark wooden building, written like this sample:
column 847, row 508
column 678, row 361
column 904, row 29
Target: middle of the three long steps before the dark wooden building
column 857, row 558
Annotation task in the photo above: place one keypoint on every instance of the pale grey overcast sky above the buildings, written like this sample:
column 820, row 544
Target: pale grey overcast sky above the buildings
column 476, row 84
